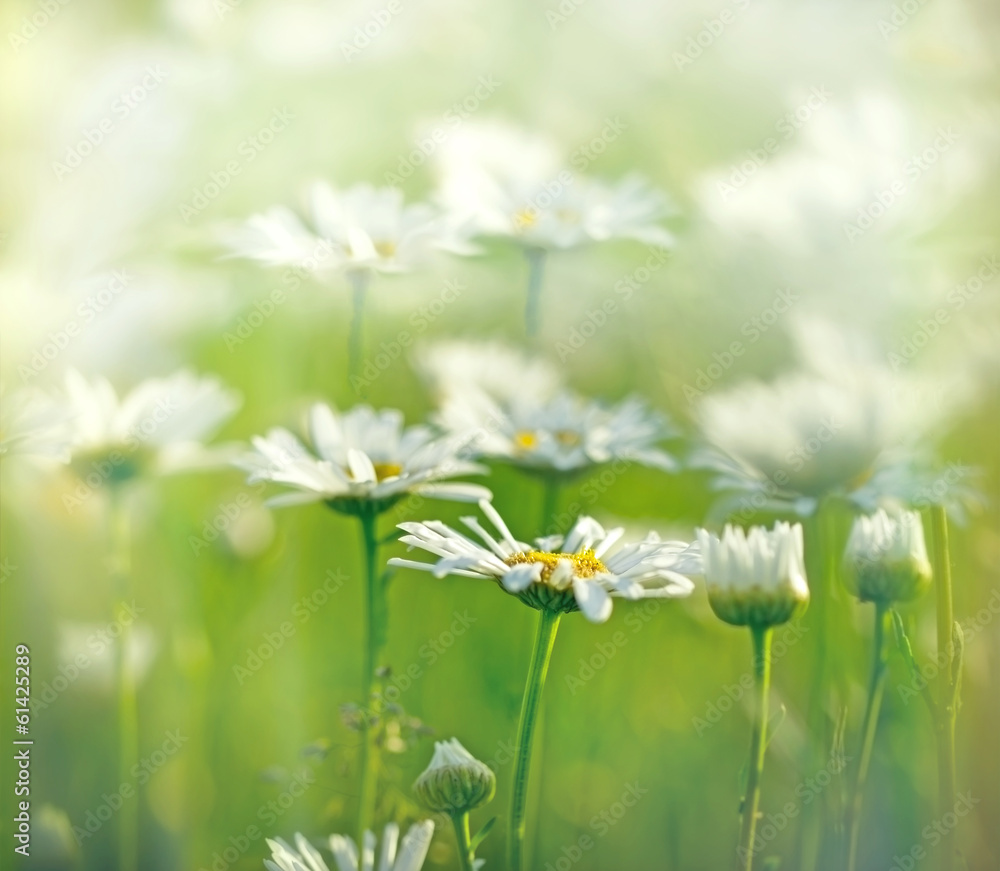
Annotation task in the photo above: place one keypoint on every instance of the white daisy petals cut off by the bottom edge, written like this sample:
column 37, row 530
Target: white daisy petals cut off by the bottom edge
column 394, row 855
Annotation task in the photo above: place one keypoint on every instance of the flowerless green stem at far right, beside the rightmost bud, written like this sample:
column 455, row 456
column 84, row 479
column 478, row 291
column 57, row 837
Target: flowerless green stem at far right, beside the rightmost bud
column 946, row 706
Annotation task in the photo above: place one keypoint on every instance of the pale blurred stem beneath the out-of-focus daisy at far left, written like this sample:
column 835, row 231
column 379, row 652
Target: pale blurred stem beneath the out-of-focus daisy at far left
column 128, row 716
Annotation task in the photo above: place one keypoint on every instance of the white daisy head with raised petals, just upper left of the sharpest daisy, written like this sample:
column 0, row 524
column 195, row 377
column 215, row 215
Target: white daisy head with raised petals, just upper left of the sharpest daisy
column 364, row 457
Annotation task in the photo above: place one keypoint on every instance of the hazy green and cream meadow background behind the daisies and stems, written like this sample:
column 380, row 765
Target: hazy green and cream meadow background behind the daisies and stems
column 827, row 160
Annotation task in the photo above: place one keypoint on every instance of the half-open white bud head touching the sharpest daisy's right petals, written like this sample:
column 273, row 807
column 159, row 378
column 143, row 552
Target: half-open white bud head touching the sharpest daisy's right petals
column 755, row 578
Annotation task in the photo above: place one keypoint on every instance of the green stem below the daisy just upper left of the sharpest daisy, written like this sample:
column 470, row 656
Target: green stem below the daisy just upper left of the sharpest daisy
column 373, row 633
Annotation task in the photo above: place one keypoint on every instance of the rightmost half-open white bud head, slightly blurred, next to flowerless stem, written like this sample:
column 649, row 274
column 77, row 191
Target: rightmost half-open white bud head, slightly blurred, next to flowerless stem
column 886, row 558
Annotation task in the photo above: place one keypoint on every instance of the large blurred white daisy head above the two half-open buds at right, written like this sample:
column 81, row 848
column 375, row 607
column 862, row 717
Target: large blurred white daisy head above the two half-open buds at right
column 825, row 430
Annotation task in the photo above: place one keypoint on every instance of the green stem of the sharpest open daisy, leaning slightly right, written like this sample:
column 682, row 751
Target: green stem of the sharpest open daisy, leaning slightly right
column 548, row 624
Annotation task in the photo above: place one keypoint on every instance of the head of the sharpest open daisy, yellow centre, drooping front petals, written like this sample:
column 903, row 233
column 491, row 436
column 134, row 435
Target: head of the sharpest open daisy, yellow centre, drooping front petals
column 559, row 573
